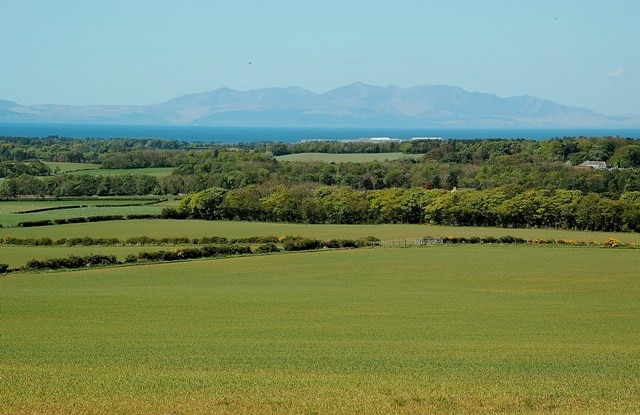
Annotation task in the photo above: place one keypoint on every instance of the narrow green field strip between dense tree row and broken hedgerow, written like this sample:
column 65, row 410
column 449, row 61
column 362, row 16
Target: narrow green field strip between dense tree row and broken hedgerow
column 231, row 229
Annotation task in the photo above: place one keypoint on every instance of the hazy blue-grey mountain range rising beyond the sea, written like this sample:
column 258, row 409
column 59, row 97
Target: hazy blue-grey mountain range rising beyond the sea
column 355, row 105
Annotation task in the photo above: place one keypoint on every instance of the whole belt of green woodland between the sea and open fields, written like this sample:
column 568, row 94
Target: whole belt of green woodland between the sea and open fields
column 517, row 183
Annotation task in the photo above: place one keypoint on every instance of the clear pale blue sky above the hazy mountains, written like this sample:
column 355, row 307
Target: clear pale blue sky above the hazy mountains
column 575, row 52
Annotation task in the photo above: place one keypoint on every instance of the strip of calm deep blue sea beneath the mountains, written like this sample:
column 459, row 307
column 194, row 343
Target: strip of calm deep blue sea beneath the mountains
column 287, row 134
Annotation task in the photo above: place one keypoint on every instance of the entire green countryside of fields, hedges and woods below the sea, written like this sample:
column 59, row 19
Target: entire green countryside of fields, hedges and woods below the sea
column 518, row 307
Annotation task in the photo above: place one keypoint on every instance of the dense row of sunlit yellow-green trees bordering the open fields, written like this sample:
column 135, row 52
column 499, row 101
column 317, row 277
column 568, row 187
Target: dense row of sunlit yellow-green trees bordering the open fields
column 509, row 207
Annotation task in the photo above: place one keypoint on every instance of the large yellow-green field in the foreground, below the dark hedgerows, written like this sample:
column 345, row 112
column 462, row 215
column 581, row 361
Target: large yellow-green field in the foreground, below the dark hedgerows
column 449, row 329
